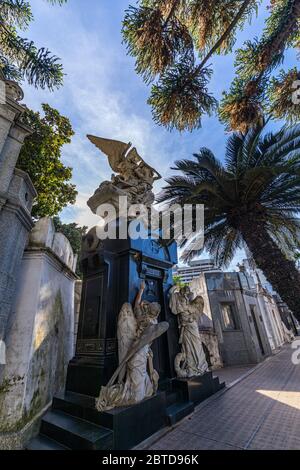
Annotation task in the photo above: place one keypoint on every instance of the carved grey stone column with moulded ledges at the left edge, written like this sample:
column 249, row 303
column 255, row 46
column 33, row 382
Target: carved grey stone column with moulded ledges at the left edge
column 16, row 198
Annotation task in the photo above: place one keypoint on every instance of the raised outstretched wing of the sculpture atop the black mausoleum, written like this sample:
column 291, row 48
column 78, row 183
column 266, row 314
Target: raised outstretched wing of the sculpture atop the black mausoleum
column 113, row 149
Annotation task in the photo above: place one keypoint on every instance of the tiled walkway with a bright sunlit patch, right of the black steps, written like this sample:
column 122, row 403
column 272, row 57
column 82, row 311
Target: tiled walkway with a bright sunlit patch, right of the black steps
column 262, row 411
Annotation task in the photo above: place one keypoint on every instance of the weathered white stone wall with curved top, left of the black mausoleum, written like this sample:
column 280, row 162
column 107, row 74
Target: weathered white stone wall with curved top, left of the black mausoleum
column 39, row 342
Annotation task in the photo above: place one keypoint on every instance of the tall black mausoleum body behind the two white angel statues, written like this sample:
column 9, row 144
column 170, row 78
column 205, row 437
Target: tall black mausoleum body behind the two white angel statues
column 112, row 274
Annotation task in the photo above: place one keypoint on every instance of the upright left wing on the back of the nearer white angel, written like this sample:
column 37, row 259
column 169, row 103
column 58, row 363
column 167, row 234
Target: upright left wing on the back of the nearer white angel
column 126, row 333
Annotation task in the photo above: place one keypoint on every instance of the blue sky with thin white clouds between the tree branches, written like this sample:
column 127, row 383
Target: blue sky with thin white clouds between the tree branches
column 102, row 94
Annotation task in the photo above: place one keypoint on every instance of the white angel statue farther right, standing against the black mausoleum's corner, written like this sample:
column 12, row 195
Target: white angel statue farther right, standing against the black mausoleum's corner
column 191, row 361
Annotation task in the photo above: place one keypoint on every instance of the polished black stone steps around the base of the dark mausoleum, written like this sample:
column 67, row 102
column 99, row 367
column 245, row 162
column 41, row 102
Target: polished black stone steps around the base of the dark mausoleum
column 74, row 422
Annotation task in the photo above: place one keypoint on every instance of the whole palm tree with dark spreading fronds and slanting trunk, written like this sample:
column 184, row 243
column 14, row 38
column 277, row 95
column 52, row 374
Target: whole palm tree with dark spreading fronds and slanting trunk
column 254, row 198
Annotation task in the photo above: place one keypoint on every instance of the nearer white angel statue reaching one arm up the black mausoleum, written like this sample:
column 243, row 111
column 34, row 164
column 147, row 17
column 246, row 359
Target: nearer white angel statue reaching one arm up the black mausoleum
column 135, row 379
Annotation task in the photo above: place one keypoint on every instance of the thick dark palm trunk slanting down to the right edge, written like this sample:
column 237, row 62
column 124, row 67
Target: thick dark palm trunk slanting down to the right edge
column 279, row 271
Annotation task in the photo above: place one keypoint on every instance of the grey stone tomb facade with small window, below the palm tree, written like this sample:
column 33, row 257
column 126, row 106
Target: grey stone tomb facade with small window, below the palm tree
column 248, row 341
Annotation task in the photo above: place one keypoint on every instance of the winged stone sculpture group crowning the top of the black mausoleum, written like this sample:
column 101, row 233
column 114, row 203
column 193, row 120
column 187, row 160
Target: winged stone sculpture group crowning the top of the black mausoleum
column 134, row 178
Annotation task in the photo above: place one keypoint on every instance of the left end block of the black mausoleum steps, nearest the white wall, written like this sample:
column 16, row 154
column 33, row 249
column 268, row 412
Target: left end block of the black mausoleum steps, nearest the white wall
column 75, row 433
